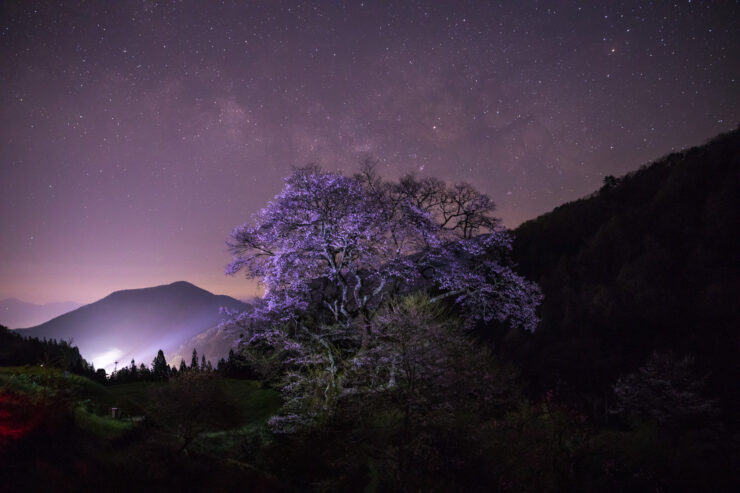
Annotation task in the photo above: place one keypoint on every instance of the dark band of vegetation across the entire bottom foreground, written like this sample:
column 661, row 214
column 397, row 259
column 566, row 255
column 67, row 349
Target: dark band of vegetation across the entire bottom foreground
column 199, row 431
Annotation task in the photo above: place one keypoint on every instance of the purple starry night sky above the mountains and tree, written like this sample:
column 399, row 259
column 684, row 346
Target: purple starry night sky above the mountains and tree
column 134, row 135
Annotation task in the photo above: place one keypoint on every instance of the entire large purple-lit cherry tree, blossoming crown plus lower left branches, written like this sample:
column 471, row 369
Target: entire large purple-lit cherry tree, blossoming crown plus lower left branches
column 331, row 251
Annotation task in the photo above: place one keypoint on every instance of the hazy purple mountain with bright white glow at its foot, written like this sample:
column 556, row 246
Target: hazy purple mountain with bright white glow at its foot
column 136, row 323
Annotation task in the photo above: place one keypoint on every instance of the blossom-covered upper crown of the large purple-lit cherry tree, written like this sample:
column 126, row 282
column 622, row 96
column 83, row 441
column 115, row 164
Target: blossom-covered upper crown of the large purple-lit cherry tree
column 345, row 244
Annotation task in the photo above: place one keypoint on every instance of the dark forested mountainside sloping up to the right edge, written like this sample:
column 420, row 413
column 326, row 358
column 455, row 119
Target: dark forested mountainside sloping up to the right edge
column 650, row 262
